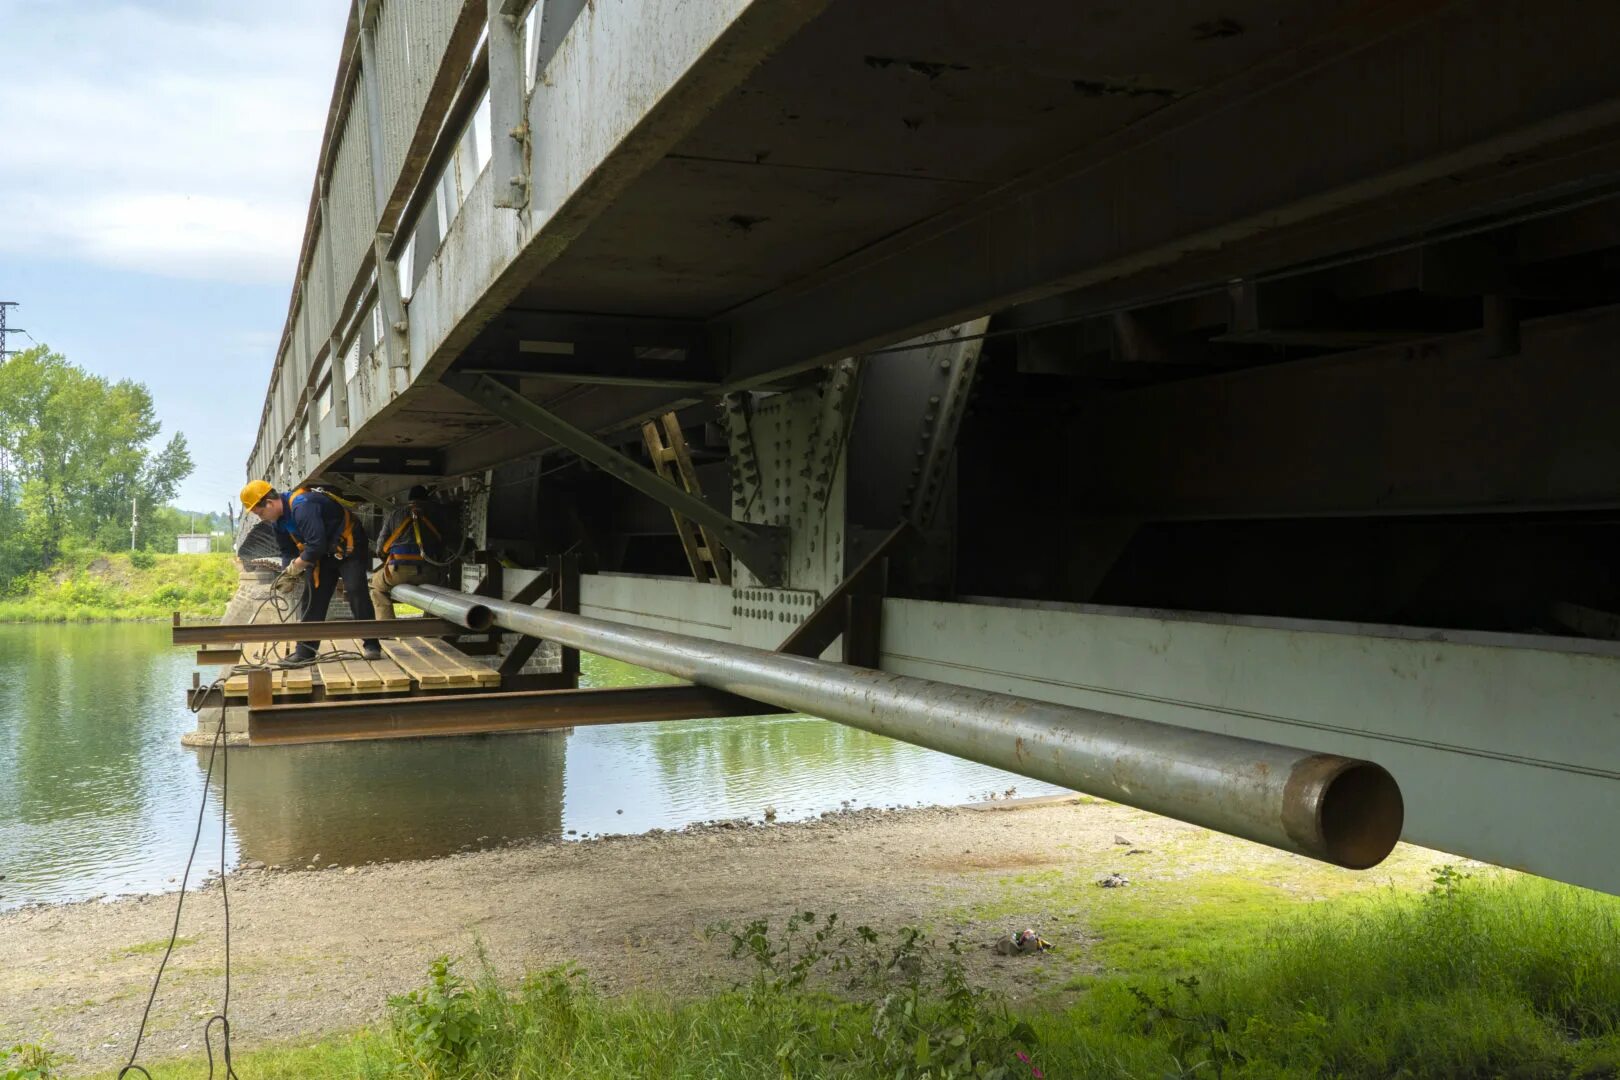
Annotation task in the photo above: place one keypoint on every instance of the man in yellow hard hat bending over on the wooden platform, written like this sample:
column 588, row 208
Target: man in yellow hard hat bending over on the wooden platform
column 322, row 540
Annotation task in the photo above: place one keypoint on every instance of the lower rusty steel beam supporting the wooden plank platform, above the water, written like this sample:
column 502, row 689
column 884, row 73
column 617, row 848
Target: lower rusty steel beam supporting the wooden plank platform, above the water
column 484, row 713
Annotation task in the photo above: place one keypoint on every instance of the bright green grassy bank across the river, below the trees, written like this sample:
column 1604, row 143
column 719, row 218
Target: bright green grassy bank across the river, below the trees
column 95, row 587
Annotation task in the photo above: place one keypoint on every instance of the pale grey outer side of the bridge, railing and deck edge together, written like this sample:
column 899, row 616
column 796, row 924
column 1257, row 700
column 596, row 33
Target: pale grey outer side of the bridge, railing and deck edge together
column 464, row 137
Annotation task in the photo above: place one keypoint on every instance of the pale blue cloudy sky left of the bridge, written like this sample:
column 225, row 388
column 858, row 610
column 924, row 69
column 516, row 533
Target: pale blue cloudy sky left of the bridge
column 156, row 163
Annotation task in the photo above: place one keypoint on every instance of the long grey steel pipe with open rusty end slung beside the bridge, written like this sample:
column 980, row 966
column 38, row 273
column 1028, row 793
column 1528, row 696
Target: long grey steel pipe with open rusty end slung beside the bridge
column 1339, row 810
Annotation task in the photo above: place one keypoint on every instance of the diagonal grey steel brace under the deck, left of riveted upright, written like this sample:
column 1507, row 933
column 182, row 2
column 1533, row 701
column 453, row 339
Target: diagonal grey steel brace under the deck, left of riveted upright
column 761, row 548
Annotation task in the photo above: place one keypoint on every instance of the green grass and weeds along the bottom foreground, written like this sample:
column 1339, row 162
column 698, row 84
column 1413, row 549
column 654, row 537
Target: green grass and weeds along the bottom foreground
column 1496, row 976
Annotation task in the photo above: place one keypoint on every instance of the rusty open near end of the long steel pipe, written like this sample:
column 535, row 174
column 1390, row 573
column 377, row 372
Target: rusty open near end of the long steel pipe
column 1344, row 810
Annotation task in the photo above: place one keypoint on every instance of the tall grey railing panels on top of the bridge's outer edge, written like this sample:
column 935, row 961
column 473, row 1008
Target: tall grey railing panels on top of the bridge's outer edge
column 406, row 72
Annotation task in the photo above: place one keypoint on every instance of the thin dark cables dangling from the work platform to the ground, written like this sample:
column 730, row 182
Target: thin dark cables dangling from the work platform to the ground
column 221, row 749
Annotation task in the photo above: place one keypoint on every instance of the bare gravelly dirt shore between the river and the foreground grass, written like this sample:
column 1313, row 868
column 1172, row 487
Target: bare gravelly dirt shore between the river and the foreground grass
column 318, row 953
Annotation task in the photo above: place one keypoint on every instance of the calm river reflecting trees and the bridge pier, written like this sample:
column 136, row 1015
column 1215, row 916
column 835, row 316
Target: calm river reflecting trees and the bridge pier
column 98, row 797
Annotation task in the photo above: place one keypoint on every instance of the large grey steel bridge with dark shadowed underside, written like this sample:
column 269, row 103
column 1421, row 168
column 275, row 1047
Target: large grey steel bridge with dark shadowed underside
column 1245, row 368
